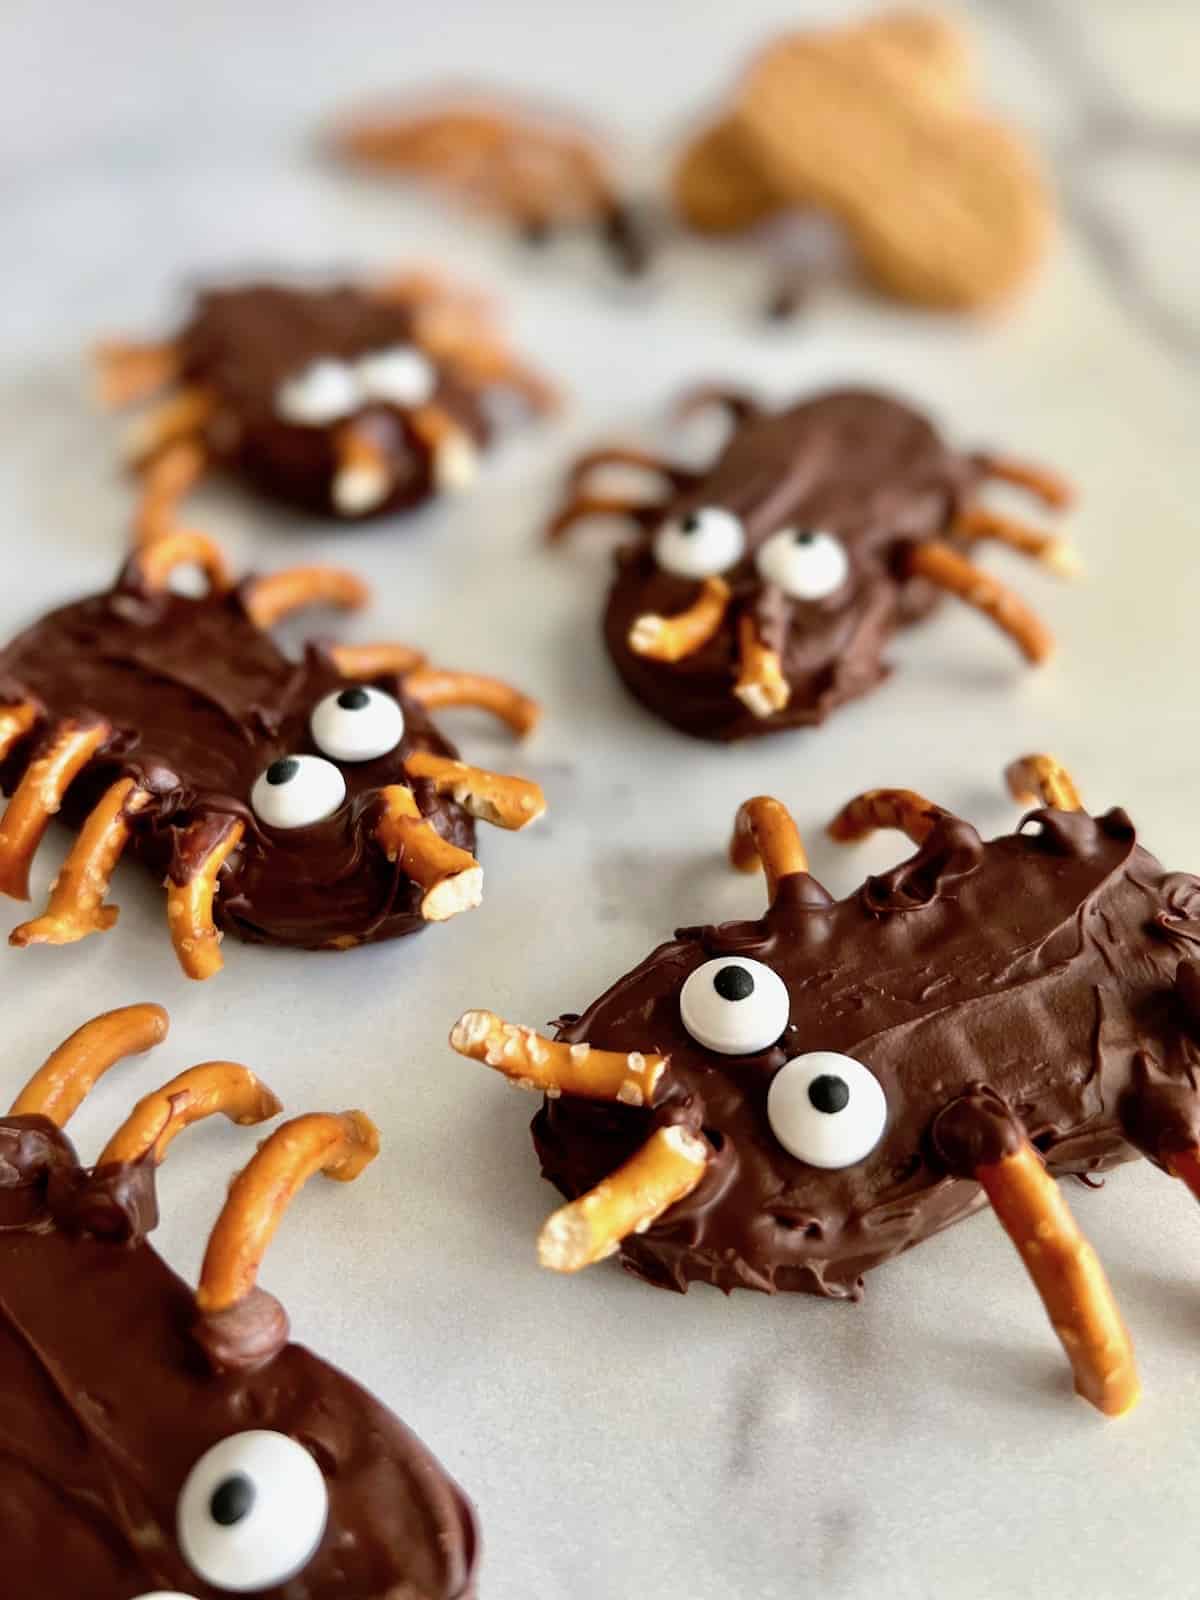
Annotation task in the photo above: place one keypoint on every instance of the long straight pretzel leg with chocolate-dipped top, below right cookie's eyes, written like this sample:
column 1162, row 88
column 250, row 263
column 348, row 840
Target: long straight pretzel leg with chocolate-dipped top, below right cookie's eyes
column 1058, row 1258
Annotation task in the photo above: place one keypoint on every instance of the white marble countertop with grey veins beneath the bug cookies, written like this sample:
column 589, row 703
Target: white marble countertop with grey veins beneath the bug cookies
column 623, row 1442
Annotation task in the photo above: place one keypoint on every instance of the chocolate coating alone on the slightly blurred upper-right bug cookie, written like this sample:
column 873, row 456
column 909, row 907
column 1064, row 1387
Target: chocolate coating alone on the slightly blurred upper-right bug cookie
column 852, row 463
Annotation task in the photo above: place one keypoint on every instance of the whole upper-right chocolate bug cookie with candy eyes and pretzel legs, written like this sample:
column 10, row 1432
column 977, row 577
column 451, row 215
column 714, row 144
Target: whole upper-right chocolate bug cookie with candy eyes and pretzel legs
column 762, row 591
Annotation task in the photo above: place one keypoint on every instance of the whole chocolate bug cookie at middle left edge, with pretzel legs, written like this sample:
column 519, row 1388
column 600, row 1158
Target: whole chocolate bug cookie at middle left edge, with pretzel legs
column 290, row 802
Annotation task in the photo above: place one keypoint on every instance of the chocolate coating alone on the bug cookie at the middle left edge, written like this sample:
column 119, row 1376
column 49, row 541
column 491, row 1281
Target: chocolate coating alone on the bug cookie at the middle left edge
column 202, row 702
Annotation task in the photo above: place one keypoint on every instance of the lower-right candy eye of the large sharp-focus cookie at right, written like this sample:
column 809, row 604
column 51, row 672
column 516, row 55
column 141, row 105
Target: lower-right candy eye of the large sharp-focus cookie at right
column 826, row 1110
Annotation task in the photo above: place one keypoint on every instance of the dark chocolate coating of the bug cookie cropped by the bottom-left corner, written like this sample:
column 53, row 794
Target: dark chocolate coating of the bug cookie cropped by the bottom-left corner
column 106, row 1404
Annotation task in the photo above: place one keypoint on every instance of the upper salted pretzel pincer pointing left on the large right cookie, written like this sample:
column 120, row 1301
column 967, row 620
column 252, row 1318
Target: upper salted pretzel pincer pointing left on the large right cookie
column 556, row 1068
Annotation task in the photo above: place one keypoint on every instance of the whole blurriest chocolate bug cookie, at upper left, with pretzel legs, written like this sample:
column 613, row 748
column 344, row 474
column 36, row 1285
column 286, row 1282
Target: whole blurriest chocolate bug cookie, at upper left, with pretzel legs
column 348, row 401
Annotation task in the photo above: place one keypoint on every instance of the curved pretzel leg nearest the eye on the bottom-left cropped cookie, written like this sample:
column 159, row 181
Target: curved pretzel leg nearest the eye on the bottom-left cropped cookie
column 337, row 1145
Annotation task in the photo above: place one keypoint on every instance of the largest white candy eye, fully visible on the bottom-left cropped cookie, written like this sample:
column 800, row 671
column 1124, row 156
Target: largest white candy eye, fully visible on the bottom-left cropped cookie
column 252, row 1513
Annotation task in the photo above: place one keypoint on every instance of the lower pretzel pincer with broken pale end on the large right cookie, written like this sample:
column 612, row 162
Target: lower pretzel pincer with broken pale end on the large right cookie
column 666, row 1169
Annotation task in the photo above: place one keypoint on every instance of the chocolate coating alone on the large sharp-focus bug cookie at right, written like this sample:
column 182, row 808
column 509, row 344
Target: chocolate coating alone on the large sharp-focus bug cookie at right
column 1042, row 964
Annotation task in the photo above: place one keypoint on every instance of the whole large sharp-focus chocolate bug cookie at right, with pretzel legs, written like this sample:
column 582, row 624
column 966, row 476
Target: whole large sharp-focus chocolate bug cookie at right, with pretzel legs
column 788, row 1103
